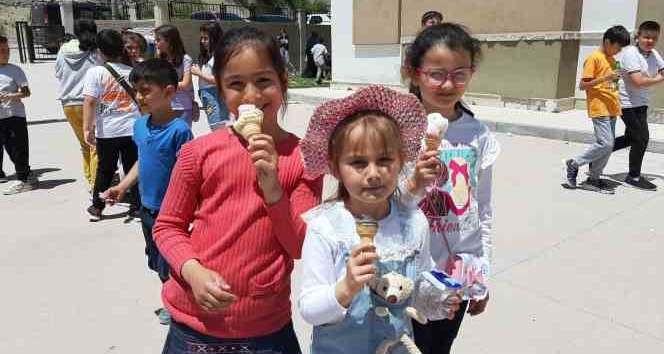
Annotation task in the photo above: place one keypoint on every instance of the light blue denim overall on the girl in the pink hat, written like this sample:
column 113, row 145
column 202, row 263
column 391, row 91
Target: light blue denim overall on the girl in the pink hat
column 362, row 331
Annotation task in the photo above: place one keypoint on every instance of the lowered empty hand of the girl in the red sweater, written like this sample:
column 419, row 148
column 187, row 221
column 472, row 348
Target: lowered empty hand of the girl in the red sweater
column 210, row 290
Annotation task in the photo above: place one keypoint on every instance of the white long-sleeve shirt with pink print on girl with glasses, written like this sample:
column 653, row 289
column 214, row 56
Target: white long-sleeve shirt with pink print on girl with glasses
column 461, row 210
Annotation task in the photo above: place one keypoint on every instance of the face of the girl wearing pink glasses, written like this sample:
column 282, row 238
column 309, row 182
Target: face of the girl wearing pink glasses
column 437, row 95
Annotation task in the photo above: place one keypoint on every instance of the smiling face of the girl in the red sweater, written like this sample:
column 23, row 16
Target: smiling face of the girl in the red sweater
column 249, row 77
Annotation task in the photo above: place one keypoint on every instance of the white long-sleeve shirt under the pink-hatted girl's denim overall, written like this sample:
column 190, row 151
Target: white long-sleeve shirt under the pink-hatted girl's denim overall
column 330, row 237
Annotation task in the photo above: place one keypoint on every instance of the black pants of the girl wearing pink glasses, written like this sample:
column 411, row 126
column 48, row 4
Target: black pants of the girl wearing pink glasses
column 436, row 337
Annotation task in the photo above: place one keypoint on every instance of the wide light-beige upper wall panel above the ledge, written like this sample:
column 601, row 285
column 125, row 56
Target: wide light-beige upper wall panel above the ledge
column 505, row 16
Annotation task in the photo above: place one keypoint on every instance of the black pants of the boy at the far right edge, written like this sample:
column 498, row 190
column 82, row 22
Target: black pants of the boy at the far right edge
column 636, row 136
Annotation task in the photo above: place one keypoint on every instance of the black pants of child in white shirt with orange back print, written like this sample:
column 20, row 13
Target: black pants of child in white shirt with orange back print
column 109, row 150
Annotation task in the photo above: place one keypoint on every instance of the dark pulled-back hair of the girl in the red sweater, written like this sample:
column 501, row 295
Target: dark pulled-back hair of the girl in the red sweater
column 239, row 38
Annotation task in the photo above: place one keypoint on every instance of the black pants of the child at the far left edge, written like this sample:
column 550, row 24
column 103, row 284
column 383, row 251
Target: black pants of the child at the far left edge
column 14, row 138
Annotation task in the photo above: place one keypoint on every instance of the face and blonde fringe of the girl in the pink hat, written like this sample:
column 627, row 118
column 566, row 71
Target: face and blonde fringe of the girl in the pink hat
column 368, row 164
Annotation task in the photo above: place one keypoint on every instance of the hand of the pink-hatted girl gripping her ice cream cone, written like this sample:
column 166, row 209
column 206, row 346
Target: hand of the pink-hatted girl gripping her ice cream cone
column 360, row 269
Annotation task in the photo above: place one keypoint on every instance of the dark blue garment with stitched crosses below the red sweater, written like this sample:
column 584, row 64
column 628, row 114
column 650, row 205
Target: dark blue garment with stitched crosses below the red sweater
column 184, row 340
